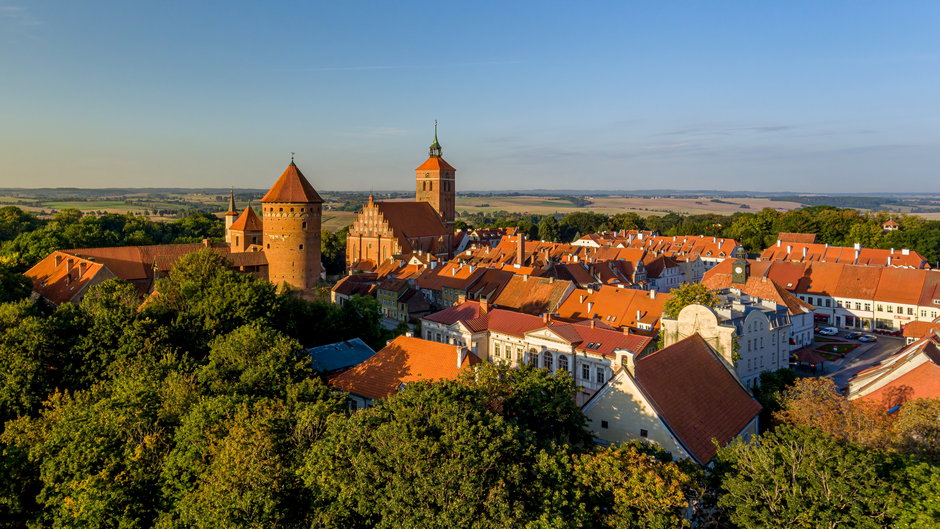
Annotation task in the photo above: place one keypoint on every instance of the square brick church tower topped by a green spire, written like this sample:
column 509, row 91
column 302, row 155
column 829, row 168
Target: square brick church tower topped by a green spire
column 435, row 183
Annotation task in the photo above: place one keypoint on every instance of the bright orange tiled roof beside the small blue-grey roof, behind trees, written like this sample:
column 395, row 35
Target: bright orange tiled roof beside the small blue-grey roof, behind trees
column 403, row 360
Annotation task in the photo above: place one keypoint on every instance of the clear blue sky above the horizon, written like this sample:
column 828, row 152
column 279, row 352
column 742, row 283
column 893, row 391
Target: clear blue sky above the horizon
column 802, row 96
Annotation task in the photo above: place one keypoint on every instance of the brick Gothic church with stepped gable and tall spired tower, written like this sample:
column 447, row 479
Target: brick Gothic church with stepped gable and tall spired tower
column 385, row 228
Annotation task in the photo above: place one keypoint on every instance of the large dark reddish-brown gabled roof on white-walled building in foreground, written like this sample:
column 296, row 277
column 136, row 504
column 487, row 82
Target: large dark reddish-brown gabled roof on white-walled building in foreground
column 696, row 395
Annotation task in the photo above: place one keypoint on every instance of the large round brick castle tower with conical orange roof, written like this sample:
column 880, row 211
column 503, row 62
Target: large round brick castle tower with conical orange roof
column 291, row 213
